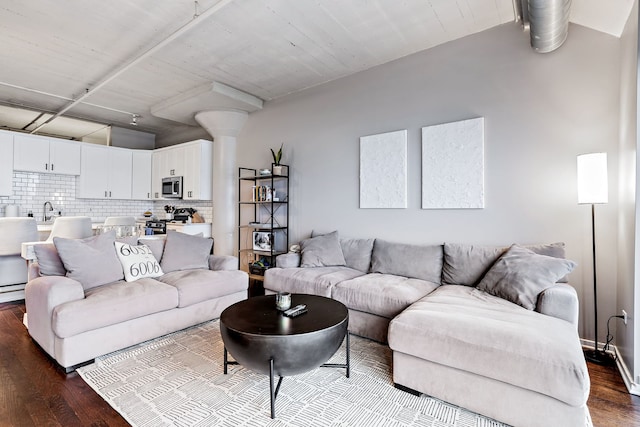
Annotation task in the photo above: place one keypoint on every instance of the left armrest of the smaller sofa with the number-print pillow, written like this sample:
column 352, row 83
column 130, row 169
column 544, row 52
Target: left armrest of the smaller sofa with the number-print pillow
column 42, row 296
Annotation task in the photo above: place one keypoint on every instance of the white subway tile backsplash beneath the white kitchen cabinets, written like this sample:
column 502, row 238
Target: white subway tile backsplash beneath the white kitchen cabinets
column 31, row 190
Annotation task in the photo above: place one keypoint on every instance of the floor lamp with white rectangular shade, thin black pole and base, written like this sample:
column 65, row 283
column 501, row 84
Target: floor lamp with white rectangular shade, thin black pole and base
column 593, row 189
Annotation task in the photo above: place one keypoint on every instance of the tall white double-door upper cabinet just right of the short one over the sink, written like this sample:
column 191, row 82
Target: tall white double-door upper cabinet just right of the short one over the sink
column 106, row 173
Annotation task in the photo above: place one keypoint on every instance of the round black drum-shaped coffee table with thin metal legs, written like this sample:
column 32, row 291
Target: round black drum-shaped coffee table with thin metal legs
column 261, row 338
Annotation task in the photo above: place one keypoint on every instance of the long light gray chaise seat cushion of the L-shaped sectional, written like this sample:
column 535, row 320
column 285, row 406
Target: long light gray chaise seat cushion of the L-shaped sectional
column 467, row 329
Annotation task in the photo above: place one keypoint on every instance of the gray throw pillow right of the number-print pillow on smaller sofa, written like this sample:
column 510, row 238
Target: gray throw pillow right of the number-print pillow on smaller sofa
column 185, row 252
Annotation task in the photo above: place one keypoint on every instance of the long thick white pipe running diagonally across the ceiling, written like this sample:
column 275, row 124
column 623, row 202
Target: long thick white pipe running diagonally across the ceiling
column 197, row 19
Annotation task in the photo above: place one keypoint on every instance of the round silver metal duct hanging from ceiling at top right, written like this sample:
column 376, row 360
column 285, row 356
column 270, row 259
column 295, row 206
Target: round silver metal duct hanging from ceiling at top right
column 548, row 22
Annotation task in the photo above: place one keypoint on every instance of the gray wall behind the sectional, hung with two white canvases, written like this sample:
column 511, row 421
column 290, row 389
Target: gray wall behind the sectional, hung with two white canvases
column 540, row 111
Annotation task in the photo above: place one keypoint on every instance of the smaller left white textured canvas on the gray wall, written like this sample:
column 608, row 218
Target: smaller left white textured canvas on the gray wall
column 383, row 170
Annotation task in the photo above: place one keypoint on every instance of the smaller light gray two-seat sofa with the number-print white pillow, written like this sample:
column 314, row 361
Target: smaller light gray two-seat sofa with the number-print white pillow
column 89, row 297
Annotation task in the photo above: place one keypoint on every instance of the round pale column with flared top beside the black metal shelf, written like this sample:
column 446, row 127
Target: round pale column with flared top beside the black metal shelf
column 224, row 127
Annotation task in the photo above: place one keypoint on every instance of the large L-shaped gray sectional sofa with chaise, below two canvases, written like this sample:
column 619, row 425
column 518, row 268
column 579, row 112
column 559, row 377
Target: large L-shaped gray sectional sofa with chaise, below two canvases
column 491, row 329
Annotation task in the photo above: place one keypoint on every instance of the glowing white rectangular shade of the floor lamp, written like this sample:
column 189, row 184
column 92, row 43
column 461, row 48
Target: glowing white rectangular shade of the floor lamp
column 592, row 178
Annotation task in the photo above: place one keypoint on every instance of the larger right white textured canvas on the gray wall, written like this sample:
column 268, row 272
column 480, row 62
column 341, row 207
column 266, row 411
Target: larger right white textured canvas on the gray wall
column 453, row 165
